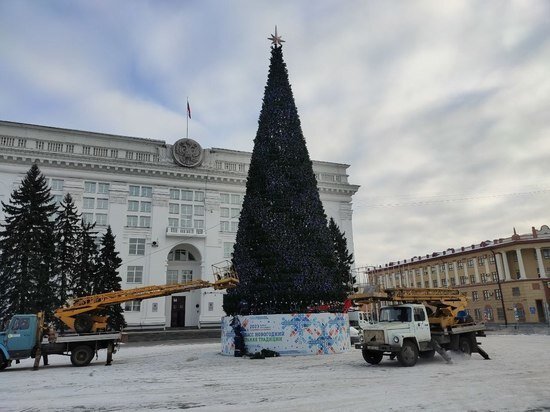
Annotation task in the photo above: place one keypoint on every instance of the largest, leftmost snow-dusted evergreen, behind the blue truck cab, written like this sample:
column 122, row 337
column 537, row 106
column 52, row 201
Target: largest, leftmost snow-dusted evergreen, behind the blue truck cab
column 27, row 251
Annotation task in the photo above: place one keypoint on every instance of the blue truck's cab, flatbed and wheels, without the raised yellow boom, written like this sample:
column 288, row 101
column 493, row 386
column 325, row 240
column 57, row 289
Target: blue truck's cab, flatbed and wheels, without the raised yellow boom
column 26, row 337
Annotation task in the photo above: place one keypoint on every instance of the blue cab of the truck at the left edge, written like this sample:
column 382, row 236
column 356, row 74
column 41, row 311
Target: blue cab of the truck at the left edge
column 18, row 340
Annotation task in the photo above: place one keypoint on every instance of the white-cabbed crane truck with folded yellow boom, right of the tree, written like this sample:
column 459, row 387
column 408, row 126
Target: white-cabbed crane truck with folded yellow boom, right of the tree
column 417, row 323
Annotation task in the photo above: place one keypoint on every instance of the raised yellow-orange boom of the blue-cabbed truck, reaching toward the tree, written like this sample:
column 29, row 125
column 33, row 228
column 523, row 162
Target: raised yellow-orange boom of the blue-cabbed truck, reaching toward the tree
column 80, row 316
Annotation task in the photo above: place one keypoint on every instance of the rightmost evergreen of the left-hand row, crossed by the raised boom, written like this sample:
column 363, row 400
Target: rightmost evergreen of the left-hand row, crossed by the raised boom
column 108, row 279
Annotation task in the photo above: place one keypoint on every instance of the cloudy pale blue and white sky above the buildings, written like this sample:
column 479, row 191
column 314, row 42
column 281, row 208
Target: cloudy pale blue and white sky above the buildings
column 440, row 107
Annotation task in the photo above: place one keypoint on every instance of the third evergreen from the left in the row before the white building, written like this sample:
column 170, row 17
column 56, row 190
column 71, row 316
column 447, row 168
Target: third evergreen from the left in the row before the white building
column 86, row 260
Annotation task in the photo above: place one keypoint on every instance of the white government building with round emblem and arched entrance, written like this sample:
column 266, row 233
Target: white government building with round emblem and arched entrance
column 174, row 209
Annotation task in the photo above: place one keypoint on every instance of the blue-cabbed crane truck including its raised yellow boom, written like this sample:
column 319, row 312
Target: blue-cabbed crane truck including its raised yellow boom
column 26, row 335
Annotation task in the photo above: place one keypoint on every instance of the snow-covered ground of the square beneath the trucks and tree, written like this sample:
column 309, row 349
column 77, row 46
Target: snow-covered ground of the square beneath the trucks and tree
column 186, row 376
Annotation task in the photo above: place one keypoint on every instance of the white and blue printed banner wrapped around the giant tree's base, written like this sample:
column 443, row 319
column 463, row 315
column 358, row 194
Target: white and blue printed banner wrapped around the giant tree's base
column 289, row 334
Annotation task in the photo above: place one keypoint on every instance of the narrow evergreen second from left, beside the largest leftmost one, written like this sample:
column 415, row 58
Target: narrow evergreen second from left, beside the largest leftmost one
column 67, row 226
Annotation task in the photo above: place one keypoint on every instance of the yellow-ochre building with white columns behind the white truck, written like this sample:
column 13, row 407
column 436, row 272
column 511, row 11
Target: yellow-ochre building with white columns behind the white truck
column 506, row 280
